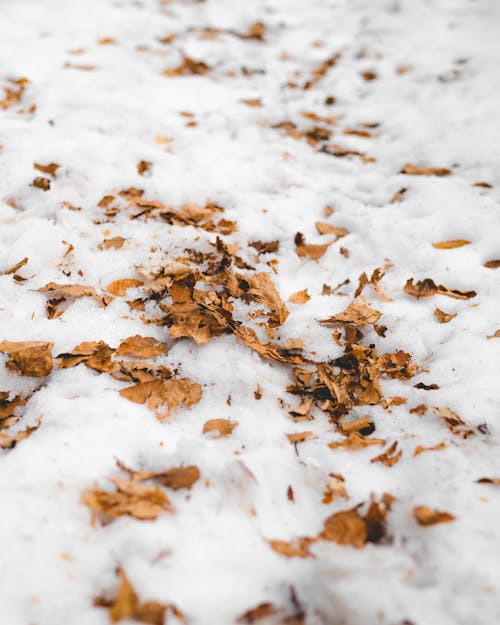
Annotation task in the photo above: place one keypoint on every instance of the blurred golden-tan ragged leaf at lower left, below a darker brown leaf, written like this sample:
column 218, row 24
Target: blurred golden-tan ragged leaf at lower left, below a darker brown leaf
column 131, row 498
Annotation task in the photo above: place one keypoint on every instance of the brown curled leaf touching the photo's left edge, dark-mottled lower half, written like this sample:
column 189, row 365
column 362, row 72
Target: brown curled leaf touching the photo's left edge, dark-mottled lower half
column 28, row 358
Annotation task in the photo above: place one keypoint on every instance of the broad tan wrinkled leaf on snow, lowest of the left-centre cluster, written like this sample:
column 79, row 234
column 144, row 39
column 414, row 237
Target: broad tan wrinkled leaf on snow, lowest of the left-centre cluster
column 172, row 393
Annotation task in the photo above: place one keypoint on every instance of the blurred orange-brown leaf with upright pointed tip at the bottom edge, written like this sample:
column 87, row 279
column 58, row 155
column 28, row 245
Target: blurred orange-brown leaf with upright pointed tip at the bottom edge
column 126, row 605
